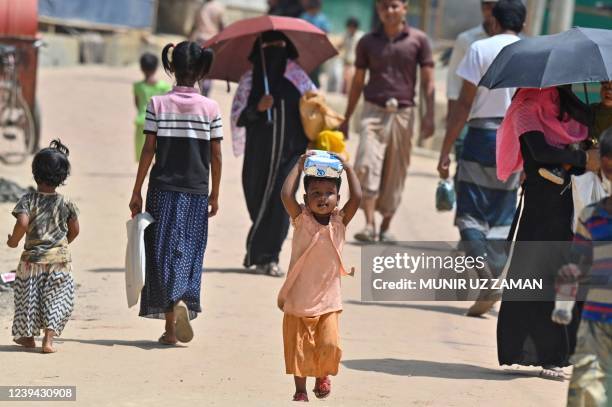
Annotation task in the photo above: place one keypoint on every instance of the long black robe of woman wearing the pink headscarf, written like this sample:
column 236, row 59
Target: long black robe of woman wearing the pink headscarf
column 526, row 334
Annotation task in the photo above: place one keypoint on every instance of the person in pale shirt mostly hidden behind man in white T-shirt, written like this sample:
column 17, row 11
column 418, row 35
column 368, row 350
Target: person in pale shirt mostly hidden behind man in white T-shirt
column 462, row 45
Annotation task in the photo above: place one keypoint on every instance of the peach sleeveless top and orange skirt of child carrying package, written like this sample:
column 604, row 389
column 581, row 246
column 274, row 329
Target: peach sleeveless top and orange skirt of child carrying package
column 312, row 298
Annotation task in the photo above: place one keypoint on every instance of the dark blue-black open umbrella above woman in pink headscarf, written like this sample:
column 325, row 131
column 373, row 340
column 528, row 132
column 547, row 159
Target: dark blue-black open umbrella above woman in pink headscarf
column 578, row 55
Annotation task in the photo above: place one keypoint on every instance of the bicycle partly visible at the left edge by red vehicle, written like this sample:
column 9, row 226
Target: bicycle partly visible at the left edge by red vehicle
column 17, row 126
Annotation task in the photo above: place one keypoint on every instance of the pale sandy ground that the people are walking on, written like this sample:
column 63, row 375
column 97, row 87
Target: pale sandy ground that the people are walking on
column 421, row 354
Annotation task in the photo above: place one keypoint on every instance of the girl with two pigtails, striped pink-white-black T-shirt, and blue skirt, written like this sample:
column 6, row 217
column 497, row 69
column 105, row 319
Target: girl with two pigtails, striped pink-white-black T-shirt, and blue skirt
column 184, row 132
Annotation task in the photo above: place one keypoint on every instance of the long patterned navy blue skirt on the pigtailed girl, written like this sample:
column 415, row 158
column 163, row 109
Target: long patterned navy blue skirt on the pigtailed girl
column 174, row 246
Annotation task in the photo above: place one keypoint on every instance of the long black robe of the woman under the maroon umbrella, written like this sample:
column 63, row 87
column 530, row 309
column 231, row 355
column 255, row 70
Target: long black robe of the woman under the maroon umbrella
column 271, row 151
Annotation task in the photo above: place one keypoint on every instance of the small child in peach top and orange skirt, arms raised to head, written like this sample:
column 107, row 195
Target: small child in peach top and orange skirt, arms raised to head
column 310, row 298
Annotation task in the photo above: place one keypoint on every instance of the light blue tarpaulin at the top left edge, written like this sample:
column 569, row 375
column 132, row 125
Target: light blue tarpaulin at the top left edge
column 125, row 13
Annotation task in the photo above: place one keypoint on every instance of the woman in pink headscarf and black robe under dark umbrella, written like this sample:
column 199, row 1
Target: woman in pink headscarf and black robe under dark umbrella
column 544, row 119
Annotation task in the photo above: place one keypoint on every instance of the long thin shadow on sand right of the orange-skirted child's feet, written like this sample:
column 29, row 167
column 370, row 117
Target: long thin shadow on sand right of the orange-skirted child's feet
column 425, row 368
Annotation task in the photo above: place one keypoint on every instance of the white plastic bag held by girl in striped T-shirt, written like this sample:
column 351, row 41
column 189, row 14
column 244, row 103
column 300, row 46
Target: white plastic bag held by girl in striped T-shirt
column 135, row 259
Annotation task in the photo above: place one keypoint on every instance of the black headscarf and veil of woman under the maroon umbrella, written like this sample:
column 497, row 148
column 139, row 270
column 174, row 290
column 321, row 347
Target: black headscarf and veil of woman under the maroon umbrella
column 276, row 62
